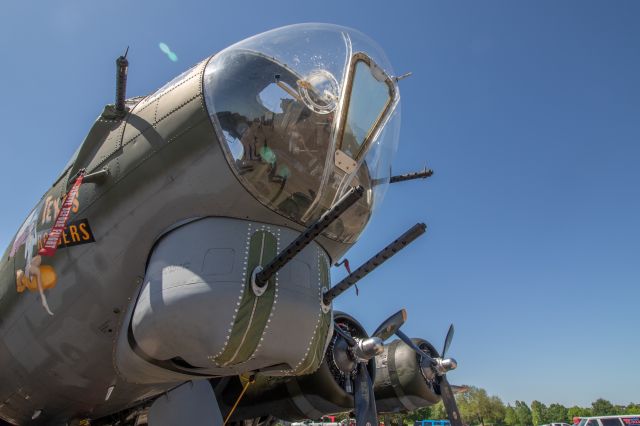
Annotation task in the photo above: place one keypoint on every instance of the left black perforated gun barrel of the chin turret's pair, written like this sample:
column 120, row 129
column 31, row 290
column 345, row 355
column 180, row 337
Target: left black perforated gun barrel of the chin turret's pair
column 309, row 234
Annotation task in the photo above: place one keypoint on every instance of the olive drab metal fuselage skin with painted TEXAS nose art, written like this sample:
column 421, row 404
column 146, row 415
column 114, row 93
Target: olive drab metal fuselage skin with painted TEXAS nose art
column 165, row 168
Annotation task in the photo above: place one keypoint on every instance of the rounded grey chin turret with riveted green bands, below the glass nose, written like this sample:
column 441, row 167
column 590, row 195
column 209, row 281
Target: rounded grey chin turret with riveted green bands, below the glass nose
column 198, row 312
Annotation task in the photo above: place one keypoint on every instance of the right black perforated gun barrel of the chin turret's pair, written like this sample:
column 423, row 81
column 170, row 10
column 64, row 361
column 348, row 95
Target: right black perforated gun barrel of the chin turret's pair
column 382, row 256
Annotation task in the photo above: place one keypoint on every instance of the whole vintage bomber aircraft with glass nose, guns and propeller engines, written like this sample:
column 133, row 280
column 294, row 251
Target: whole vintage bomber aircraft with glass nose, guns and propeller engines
column 177, row 272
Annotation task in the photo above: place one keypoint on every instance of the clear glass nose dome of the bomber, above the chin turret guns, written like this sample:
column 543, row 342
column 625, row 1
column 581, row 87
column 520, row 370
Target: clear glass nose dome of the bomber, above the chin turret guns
column 305, row 112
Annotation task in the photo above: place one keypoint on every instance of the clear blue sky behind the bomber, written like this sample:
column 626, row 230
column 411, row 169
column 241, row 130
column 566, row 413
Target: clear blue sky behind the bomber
column 529, row 113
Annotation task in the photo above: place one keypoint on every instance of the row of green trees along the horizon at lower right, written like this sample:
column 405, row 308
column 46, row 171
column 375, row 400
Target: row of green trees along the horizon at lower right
column 478, row 408
